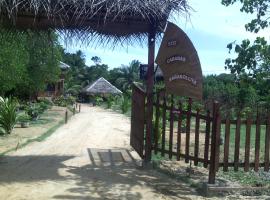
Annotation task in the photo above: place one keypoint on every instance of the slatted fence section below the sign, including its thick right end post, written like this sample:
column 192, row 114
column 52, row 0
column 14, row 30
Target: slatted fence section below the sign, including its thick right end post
column 181, row 132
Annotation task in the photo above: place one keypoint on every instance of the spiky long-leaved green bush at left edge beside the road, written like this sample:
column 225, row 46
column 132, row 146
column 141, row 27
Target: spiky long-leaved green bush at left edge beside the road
column 8, row 115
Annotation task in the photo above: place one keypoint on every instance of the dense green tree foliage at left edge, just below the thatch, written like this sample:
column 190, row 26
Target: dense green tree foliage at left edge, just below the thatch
column 28, row 61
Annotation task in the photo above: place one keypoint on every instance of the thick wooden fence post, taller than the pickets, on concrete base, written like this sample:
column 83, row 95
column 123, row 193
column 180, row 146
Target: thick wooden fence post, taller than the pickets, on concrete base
column 214, row 158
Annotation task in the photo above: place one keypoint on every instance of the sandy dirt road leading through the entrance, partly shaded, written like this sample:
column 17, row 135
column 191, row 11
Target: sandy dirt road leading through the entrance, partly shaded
column 89, row 158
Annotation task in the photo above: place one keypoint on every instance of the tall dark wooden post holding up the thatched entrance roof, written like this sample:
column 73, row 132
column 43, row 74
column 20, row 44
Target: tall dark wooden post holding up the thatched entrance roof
column 150, row 86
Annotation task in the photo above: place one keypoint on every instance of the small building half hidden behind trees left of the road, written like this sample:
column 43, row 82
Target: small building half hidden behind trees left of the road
column 56, row 89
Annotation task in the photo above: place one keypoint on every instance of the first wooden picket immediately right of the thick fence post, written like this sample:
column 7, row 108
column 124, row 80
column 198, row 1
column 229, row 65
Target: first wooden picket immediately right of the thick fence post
column 227, row 143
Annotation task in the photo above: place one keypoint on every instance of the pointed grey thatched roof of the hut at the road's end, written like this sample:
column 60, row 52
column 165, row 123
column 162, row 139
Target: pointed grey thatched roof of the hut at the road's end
column 101, row 86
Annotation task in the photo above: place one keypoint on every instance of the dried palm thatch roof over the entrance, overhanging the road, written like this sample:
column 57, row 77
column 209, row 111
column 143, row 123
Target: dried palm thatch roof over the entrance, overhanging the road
column 102, row 20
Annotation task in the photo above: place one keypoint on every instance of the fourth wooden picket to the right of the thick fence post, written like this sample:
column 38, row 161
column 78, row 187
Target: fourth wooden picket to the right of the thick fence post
column 257, row 143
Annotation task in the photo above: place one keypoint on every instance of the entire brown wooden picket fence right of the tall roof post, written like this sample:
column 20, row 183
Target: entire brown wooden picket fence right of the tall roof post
column 203, row 137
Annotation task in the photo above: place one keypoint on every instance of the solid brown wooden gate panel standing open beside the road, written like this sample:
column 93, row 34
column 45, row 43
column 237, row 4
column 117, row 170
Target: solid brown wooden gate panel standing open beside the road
column 138, row 120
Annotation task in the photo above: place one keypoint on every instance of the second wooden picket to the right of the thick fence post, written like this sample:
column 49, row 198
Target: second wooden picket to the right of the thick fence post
column 237, row 143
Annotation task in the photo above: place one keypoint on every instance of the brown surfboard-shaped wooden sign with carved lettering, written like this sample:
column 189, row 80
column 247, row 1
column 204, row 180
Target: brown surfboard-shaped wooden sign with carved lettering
column 180, row 64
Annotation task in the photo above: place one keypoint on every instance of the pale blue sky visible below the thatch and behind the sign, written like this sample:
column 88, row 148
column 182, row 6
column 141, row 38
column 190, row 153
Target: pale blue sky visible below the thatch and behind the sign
column 210, row 26
